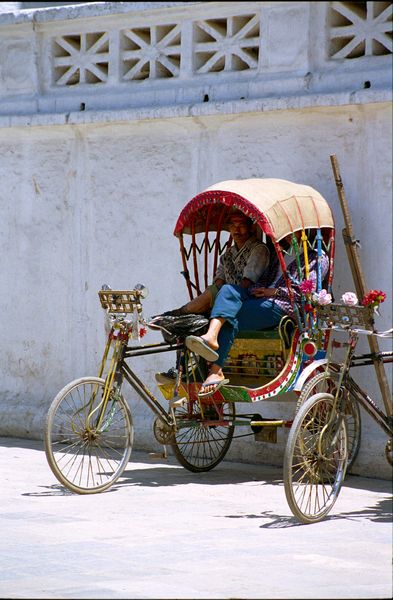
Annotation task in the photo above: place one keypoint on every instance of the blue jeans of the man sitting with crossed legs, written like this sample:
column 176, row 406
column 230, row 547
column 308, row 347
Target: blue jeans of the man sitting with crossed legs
column 241, row 311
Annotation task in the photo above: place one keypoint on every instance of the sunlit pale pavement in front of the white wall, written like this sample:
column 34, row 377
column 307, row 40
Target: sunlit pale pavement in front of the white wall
column 162, row 532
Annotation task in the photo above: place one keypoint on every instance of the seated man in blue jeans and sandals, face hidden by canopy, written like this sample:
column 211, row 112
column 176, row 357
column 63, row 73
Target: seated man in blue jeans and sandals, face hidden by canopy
column 237, row 309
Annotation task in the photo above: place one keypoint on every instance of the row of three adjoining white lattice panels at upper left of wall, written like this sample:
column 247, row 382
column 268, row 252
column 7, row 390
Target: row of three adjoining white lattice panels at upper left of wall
column 158, row 51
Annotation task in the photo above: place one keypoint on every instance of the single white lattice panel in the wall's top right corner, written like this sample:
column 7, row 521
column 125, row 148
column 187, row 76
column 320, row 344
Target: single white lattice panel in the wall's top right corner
column 360, row 29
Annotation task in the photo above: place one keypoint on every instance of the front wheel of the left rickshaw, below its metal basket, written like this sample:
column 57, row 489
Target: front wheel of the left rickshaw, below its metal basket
column 88, row 446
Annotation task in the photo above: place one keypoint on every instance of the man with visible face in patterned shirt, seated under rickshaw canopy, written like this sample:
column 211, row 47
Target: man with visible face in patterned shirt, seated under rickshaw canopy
column 242, row 264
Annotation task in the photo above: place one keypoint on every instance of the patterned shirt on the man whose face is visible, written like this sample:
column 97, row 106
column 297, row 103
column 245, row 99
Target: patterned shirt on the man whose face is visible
column 249, row 262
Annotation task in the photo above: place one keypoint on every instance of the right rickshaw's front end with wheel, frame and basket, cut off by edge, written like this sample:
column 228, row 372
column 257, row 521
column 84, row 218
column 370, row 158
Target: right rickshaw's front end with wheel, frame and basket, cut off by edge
column 325, row 435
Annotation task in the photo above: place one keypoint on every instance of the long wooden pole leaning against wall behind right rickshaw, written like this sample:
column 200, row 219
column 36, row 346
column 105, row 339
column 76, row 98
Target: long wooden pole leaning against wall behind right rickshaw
column 352, row 248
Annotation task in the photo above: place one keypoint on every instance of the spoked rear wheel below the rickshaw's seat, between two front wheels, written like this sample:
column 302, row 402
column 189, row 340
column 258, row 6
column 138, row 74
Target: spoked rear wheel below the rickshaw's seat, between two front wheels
column 204, row 434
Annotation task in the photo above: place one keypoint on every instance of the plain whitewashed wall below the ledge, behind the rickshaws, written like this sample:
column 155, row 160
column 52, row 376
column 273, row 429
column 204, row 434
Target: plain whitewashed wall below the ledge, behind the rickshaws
column 84, row 205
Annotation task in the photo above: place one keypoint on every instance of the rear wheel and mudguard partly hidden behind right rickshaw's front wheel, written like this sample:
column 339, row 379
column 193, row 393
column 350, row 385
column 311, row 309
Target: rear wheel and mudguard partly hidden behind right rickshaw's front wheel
column 324, row 382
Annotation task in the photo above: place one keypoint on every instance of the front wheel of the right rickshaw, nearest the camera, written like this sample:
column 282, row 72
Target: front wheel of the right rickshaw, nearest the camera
column 315, row 459
